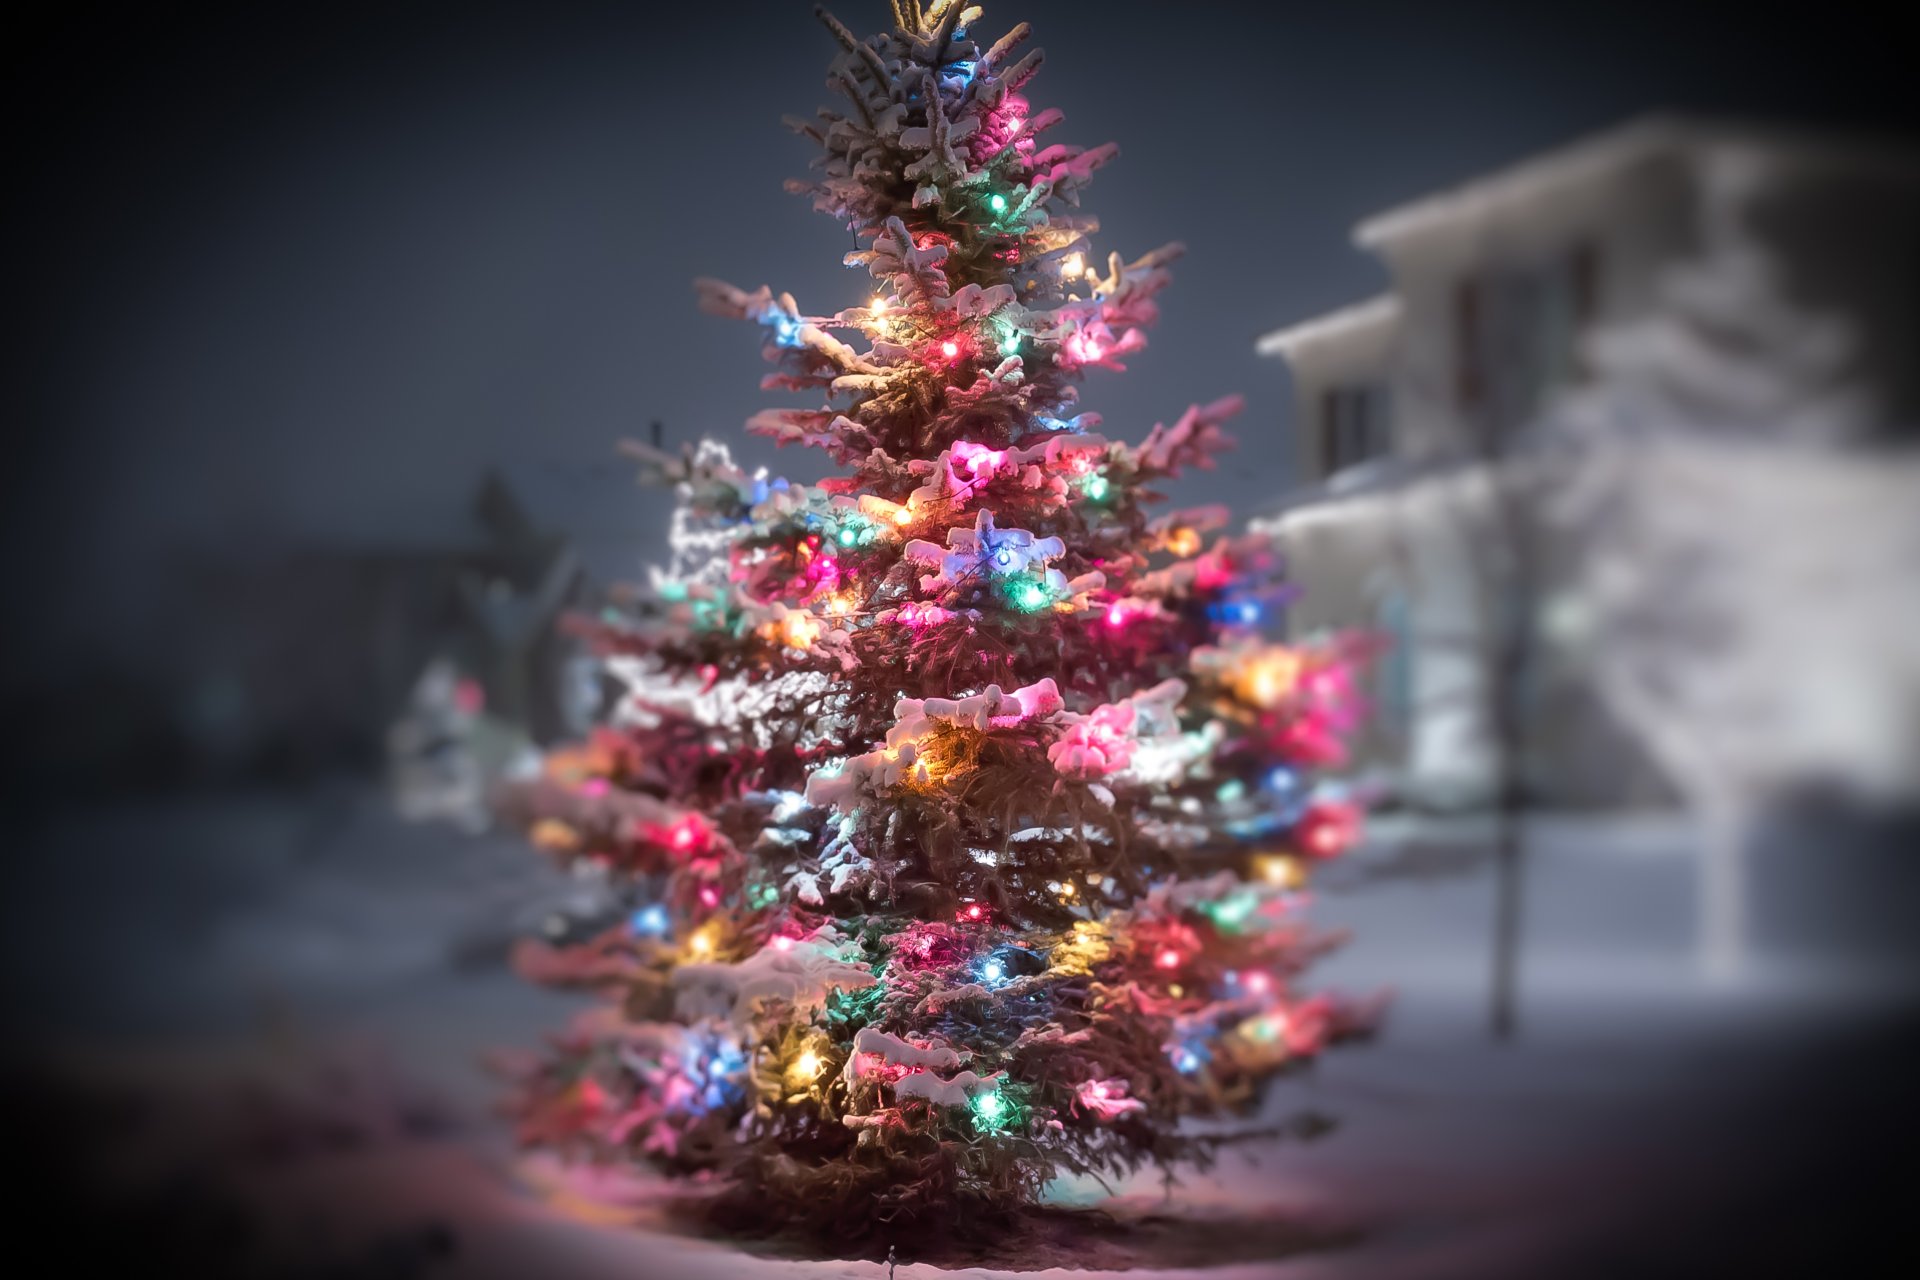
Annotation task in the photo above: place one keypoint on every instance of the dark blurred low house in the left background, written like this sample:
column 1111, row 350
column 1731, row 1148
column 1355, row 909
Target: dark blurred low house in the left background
column 297, row 659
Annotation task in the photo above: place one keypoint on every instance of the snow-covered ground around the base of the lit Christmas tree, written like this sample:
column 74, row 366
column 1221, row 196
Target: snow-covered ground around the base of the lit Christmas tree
column 274, row 1010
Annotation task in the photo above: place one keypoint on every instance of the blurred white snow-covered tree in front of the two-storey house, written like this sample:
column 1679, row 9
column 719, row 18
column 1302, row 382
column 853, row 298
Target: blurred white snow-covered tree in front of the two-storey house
column 1746, row 588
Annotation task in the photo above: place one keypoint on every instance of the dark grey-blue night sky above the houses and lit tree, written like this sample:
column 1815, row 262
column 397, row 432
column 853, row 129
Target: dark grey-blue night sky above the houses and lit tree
column 304, row 272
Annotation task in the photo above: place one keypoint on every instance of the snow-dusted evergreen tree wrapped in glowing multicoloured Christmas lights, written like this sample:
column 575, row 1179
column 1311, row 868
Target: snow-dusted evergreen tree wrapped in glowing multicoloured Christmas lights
column 957, row 807
